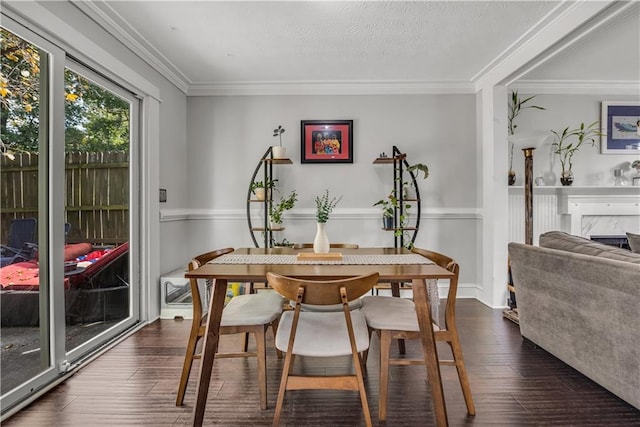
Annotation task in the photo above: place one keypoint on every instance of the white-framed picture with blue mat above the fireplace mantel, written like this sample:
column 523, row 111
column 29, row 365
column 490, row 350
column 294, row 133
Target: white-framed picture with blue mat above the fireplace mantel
column 620, row 127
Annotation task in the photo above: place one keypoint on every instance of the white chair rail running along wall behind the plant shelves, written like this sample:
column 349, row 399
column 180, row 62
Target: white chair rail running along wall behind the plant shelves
column 168, row 215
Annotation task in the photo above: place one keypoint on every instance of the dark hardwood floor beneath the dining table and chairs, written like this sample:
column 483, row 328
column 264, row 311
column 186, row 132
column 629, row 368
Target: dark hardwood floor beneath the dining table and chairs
column 514, row 383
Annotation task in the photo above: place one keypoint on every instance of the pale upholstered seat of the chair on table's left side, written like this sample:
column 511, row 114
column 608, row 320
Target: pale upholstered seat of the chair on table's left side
column 252, row 309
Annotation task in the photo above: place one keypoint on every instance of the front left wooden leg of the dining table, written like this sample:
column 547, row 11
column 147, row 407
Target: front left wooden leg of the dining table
column 209, row 348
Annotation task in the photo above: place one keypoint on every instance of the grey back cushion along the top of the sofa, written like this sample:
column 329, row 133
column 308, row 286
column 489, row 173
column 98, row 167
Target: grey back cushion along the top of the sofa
column 576, row 244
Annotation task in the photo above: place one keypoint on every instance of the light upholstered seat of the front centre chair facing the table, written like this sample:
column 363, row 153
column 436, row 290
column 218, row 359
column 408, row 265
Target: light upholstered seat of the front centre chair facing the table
column 322, row 334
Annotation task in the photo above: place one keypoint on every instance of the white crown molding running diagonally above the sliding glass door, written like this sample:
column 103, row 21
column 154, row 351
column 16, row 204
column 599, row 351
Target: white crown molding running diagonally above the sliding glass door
column 108, row 19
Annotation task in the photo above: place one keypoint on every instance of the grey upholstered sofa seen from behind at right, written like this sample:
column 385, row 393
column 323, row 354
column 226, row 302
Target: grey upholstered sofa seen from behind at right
column 580, row 301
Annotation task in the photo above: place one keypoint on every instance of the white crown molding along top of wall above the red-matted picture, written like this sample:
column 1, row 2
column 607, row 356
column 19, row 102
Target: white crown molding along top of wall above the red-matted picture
column 331, row 88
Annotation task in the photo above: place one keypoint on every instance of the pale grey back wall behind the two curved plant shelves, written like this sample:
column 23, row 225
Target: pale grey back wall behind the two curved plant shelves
column 228, row 135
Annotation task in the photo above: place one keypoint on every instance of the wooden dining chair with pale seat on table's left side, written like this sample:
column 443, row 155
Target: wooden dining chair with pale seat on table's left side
column 248, row 314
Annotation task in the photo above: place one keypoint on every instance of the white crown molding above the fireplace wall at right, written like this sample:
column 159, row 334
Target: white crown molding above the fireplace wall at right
column 579, row 87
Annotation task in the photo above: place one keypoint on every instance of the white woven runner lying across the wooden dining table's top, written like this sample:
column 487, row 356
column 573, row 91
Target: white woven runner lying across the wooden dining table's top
column 393, row 259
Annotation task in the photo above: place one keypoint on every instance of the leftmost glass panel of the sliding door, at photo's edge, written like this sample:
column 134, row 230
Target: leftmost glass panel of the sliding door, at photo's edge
column 24, row 338
